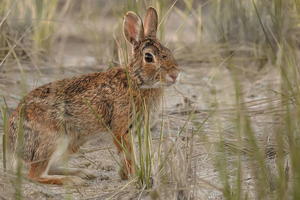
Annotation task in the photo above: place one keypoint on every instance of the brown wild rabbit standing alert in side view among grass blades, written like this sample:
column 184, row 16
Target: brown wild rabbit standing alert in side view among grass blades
column 56, row 121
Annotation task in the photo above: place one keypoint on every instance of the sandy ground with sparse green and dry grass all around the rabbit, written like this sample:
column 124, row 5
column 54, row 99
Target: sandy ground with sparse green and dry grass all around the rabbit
column 229, row 130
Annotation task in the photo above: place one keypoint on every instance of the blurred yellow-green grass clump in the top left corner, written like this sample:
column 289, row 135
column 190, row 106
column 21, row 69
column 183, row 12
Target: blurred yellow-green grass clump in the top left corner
column 38, row 16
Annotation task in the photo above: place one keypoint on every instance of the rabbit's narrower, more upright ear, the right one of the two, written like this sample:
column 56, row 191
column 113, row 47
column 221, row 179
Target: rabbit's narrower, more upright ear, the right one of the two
column 151, row 22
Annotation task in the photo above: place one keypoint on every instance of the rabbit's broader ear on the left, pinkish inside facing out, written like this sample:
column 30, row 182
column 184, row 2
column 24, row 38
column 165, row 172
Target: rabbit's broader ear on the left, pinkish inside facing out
column 133, row 28
